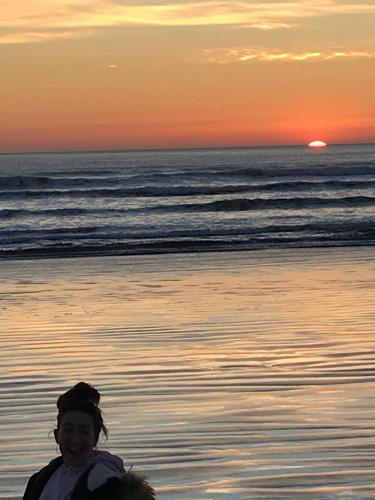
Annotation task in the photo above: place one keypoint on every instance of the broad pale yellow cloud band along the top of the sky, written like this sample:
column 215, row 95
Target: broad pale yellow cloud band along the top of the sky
column 49, row 15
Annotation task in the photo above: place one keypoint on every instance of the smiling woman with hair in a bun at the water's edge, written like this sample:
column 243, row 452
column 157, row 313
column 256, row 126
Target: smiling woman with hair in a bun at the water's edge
column 82, row 472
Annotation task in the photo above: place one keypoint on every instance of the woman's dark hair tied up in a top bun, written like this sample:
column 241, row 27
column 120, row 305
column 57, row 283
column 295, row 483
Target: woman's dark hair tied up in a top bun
column 82, row 397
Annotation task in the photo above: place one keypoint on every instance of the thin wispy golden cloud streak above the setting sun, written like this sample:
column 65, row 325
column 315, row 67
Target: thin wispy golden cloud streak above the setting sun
column 244, row 54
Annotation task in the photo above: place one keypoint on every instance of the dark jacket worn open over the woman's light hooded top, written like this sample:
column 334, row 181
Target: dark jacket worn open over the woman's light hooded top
column 110, row 490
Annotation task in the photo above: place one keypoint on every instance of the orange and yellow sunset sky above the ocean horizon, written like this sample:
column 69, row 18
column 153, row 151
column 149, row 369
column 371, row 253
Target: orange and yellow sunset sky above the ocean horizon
column 120, row 74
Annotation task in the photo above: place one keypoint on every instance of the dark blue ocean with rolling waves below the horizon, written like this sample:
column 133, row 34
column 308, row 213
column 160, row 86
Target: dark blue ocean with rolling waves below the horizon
column 141, row 202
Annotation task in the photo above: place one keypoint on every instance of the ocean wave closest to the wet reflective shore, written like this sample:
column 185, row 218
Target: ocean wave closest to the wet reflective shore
column 116, row 236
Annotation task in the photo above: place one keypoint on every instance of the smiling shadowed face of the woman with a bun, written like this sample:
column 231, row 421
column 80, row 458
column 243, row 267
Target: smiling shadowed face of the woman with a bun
column 76, row 437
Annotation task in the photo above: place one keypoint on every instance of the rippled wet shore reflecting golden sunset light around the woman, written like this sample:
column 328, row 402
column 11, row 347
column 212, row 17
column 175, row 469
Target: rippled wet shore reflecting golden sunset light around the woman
column 234, row 375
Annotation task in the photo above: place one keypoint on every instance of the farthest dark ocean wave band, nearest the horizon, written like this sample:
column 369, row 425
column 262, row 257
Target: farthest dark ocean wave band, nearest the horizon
column 174, row 176
